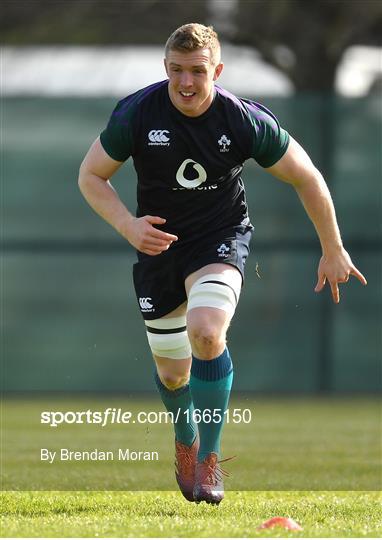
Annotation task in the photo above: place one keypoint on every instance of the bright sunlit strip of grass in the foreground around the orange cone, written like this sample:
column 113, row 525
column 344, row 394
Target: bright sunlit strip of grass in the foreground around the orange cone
column 167, row 514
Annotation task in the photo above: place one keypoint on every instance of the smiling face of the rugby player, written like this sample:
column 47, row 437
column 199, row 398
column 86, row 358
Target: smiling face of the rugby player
column 191, row 80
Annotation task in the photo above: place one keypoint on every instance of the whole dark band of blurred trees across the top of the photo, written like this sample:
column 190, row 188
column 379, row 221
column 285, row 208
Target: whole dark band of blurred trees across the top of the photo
column 303, row 38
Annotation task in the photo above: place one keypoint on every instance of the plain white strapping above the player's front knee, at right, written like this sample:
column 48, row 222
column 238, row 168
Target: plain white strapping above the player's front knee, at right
column 219, row 291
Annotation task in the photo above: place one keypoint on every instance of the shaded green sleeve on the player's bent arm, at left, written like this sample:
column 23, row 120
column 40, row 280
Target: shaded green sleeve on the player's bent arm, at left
column 117, row 137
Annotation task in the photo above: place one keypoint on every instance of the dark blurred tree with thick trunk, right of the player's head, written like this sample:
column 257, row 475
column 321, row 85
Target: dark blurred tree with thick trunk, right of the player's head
column 306, row 38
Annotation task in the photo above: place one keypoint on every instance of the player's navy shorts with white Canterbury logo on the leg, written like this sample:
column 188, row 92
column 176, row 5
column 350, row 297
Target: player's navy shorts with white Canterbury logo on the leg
column 159, row 280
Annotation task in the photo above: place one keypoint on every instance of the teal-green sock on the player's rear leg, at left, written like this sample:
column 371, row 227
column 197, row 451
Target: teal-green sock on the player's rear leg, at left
column 179, row 402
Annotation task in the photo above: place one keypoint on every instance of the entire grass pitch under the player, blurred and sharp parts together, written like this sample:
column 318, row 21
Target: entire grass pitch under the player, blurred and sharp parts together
column 315, row 460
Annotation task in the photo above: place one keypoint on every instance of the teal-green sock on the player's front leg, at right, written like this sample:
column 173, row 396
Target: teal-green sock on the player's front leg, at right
column 210, row 385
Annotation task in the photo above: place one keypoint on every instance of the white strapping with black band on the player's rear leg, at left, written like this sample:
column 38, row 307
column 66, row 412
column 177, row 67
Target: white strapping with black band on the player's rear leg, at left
column 168, row 337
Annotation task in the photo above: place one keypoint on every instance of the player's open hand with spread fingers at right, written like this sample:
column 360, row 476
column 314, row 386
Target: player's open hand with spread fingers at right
column 337, row 267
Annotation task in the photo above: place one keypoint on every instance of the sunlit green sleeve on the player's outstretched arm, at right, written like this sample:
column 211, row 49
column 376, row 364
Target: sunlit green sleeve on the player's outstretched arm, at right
column 270, row 140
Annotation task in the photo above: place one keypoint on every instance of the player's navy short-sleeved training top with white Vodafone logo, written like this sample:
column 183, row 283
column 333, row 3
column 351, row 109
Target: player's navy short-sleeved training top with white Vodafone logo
column 189, row 168
